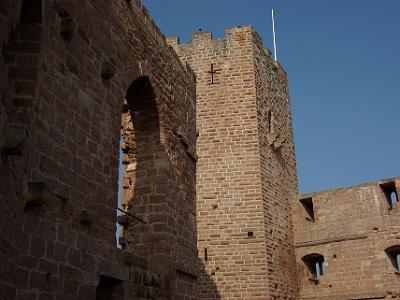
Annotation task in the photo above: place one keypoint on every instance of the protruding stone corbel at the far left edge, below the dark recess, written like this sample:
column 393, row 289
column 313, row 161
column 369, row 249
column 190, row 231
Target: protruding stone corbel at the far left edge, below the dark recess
column 14, row 138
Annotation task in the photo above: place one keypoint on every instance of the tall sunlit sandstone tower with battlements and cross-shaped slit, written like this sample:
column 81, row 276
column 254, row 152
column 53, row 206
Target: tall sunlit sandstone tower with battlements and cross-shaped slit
column 246, row 170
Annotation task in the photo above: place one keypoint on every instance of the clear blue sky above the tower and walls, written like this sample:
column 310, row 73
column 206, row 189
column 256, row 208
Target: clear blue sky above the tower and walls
column 343, row 64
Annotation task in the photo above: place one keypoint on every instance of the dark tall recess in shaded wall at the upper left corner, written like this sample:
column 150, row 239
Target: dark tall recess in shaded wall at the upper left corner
column 21, row 56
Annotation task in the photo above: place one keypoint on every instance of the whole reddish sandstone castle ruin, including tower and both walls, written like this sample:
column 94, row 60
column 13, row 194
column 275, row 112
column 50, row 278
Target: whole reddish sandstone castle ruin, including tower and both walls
column 209, row 206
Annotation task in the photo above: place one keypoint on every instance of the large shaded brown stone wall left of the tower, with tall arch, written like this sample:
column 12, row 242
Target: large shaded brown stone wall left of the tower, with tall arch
column 66, row 68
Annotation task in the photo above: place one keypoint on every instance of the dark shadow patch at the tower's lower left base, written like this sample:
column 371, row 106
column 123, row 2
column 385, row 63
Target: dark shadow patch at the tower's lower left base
column 206, row 282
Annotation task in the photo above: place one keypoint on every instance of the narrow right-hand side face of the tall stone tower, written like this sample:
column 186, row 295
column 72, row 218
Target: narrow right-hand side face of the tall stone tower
column 278, row 170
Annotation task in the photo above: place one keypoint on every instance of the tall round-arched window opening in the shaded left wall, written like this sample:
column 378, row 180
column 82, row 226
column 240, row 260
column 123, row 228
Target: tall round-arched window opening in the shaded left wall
column 144, row 170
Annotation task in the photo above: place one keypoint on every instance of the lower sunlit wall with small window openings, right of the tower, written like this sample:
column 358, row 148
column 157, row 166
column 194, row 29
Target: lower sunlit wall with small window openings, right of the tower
column 352, row 227
